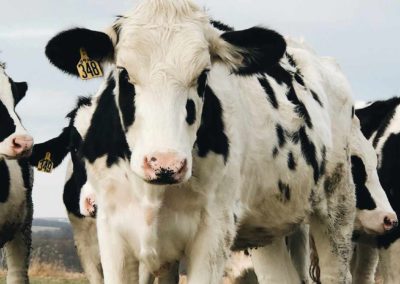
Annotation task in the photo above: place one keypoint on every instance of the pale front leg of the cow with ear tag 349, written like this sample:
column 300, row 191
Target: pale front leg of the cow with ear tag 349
column 87, row 245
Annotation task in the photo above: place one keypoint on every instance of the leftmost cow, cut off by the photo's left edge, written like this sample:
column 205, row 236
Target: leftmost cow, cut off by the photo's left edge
column 15, row 181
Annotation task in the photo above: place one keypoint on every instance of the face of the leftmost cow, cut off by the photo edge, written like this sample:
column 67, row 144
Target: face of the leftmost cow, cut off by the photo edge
column 14, row 139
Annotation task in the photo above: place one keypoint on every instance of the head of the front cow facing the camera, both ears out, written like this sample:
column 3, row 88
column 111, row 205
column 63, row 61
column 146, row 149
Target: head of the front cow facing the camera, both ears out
column 164, row 52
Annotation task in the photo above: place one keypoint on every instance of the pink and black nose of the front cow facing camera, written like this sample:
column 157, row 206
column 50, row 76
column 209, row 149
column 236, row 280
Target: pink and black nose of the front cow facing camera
column 164, row 168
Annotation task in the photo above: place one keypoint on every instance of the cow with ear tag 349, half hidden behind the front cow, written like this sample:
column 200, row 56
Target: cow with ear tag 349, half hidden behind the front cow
column 79, row 196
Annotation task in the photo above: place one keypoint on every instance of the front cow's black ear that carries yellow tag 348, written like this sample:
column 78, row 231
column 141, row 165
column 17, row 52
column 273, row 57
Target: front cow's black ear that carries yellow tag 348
column 63, row 50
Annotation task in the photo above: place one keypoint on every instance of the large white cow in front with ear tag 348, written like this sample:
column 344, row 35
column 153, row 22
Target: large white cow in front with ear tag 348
column 196, row 128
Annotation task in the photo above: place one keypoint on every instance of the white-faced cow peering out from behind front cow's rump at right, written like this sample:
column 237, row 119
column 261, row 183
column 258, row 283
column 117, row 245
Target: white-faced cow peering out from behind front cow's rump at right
column 375, row 215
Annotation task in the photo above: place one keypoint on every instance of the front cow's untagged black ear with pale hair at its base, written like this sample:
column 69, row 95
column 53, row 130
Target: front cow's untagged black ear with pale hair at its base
column 250, row 51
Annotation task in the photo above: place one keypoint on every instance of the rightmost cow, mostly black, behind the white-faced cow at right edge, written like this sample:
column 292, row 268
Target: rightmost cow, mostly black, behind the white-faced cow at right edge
column 380, row 123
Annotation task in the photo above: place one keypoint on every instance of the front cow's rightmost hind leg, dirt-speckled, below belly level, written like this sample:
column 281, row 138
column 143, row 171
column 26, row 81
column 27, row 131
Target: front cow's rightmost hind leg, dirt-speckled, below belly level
column 334, row 248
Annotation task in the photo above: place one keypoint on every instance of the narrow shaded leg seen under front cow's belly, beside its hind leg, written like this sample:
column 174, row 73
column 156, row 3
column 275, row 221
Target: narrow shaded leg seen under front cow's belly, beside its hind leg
column 299, row 248
